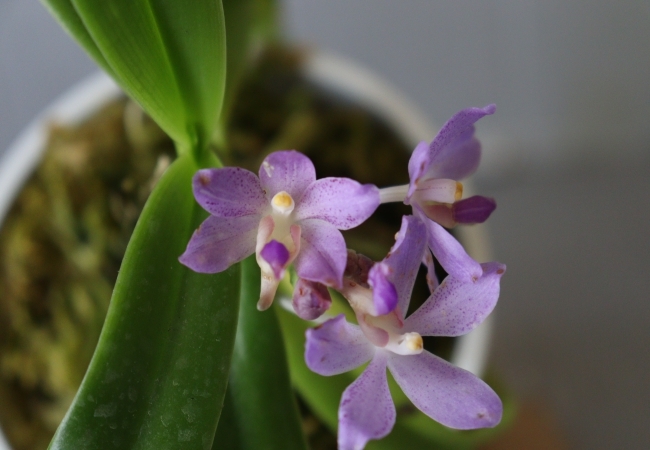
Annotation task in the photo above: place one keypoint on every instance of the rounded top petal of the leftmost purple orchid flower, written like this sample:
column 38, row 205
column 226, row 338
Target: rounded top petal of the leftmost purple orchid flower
column 288, row 171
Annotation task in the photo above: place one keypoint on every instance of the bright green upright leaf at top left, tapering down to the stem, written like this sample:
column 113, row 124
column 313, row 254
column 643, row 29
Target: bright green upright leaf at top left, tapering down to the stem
column 170, row 56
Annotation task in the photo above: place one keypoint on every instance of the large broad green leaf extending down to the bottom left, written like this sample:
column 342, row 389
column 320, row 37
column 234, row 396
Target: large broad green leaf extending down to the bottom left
column 159, row 373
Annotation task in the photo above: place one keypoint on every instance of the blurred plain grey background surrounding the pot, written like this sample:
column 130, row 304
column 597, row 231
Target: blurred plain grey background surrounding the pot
column 567, row 156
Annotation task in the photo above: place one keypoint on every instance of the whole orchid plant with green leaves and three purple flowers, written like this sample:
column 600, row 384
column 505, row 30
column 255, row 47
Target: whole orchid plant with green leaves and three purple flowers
column 191, row 354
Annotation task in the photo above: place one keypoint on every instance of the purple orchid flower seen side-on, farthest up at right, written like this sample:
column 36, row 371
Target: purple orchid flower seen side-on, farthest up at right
column 435, row 194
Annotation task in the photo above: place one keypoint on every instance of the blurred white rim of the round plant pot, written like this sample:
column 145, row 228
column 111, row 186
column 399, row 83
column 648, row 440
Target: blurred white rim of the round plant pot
column 337, row 74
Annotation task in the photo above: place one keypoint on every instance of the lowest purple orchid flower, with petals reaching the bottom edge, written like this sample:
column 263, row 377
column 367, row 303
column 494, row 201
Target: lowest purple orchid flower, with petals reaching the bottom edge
column 450, row 395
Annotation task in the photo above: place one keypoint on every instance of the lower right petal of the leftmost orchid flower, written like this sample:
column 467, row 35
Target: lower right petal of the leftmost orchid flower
column 323, row 254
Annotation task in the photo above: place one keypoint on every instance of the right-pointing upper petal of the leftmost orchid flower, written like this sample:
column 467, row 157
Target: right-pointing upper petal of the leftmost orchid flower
column 340, row 201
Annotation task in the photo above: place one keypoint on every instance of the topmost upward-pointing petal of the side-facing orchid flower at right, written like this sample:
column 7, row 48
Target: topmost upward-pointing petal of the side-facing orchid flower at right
column 454, row 153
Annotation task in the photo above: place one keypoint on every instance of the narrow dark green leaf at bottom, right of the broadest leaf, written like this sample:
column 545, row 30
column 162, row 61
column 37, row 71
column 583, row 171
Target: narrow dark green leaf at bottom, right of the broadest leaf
column 260, row 411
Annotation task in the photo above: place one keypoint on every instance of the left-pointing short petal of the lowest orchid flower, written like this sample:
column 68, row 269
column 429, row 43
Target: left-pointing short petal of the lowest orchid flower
column 336, row 347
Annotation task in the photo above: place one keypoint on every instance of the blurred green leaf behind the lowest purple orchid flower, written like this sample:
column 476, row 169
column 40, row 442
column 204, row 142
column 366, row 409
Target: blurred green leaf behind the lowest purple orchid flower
column 412, row 430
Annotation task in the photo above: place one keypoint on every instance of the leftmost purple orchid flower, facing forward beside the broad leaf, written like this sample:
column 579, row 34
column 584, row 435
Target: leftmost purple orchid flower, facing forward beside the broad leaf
column 284, row 216
